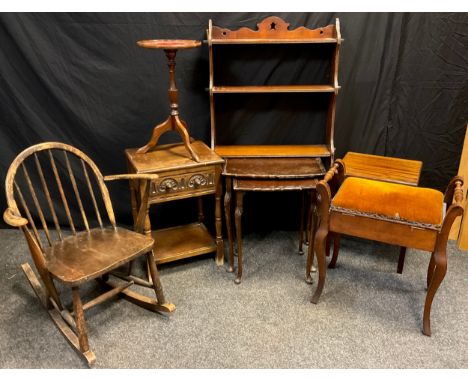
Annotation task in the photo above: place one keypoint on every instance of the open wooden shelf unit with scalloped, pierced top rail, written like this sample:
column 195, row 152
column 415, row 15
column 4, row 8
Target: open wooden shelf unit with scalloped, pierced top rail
column 274, row 30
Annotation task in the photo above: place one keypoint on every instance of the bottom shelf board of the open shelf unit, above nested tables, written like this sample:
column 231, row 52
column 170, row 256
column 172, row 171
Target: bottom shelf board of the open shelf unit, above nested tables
column 293, row 151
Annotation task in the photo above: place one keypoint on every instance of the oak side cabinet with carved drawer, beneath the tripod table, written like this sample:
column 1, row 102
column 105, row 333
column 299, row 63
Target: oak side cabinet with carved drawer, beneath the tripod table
column 180, row 177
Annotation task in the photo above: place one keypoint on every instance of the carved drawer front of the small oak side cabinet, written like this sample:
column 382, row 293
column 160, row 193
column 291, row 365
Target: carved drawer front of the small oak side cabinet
column 189, row 183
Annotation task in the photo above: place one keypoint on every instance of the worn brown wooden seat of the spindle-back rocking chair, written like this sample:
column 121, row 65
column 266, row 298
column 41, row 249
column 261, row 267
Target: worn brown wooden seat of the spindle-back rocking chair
column 88, row 255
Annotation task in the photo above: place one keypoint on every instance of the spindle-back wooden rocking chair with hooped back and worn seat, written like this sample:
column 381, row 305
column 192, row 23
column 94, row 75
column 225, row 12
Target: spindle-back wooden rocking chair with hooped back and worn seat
column 80, row 256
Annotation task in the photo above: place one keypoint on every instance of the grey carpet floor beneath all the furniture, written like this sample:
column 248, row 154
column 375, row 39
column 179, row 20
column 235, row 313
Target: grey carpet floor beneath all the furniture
column 368, row 316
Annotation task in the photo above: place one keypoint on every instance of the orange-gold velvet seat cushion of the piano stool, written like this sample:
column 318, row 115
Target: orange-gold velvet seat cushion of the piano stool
column 390, row 201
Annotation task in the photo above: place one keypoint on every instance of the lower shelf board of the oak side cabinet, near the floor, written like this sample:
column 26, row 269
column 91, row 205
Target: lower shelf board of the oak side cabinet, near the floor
column 175, row 243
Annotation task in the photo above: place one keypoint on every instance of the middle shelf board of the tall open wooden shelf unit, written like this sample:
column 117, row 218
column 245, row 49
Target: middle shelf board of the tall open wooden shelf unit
column 275, row 89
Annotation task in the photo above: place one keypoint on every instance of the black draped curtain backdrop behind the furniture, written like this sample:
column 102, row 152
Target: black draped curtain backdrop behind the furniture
column 81, row 79
